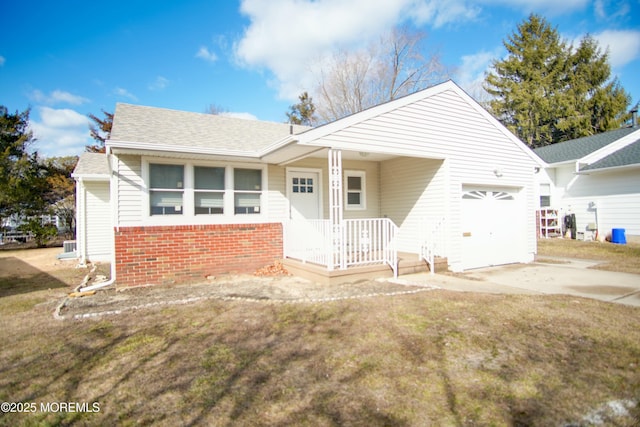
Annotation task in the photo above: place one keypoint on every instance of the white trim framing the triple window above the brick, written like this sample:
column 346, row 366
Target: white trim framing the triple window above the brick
column 188, row 215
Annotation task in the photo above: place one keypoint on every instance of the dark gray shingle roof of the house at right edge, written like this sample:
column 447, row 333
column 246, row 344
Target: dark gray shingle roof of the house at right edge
column 578, row 148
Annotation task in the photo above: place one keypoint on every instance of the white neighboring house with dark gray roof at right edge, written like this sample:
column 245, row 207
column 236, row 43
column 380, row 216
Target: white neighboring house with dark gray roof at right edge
column 597, row 178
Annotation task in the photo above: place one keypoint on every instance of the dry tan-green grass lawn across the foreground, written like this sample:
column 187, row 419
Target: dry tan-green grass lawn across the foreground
column 433, row 358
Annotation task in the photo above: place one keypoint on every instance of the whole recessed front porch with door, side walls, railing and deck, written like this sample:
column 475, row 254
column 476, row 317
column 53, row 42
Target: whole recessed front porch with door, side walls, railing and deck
column 341, row 244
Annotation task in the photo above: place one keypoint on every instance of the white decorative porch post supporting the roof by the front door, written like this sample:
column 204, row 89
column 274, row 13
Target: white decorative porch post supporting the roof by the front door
column 338, row 251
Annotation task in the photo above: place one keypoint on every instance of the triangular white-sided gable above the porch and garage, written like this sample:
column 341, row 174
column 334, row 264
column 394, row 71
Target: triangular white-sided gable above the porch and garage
column 434, row 116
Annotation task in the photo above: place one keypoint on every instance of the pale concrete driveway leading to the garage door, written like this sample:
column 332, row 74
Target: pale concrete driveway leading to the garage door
column 563, row 276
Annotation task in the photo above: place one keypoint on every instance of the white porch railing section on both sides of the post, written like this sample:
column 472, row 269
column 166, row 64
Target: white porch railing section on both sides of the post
column 353, row 242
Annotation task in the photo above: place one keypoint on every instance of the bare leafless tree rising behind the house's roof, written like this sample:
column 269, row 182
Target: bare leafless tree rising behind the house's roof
column 353, row 80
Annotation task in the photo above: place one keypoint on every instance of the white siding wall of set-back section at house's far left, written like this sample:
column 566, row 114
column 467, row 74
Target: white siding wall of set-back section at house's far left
column 98, row 227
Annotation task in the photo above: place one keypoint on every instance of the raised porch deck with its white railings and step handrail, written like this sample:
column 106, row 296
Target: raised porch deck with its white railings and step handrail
column 358, row 249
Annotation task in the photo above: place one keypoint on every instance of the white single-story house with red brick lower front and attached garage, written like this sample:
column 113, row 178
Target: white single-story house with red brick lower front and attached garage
column 194, row 195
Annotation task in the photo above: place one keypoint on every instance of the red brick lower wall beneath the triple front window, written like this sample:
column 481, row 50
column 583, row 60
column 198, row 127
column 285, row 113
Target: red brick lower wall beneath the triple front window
column 190, row 253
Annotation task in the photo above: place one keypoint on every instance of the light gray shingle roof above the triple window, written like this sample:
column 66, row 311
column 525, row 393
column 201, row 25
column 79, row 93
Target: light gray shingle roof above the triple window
column 139, row 124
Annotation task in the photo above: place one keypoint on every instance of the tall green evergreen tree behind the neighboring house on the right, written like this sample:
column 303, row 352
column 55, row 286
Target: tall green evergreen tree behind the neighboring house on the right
column 546, row 91
